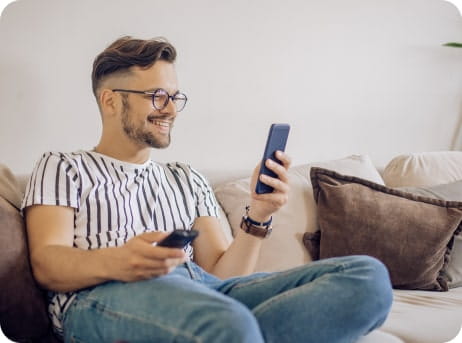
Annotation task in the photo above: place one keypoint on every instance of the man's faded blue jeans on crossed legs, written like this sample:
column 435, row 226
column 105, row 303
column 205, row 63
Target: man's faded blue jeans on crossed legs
column 332, row 300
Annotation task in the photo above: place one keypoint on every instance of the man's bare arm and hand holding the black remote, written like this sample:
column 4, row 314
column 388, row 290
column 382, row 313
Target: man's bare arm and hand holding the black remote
column 59, row 266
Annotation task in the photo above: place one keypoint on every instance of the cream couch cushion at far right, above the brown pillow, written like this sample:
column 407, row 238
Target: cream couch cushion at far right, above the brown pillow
column 424, row 169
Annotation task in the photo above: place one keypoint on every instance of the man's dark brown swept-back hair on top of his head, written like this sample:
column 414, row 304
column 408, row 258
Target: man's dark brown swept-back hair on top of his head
column 126, row 52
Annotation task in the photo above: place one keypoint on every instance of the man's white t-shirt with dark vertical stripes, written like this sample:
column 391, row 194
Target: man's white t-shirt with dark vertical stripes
column 114, row 201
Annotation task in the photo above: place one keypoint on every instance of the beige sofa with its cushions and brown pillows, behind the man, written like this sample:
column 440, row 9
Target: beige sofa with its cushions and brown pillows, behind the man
column 407, row 213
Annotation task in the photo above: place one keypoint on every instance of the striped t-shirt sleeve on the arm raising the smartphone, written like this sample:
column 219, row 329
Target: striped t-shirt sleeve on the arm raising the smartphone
column 206, row 204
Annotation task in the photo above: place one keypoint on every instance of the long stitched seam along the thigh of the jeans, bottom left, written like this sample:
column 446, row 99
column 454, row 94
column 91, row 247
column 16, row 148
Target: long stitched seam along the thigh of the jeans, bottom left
column 92, row 302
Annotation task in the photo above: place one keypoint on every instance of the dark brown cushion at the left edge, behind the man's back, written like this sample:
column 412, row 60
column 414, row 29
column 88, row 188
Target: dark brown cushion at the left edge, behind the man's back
column 23, row 312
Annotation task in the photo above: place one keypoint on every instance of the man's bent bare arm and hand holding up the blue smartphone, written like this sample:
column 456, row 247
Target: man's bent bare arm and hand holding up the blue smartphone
column 210, row 248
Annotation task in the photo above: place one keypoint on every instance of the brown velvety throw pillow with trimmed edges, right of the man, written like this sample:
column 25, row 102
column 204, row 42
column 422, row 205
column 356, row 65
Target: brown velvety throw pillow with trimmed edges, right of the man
column 411, row 234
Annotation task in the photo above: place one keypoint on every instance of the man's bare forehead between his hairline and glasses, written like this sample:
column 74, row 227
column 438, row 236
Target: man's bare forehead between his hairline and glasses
column 161, row 74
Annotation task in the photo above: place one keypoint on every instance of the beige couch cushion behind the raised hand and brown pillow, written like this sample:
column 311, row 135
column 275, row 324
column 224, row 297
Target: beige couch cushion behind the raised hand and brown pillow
column 284, row 249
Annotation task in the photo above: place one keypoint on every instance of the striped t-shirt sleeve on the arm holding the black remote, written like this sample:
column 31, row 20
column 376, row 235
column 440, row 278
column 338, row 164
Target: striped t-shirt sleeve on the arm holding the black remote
column 54, row 181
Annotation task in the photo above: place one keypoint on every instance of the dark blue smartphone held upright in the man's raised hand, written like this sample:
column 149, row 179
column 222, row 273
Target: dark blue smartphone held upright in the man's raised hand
column 277, row 140
